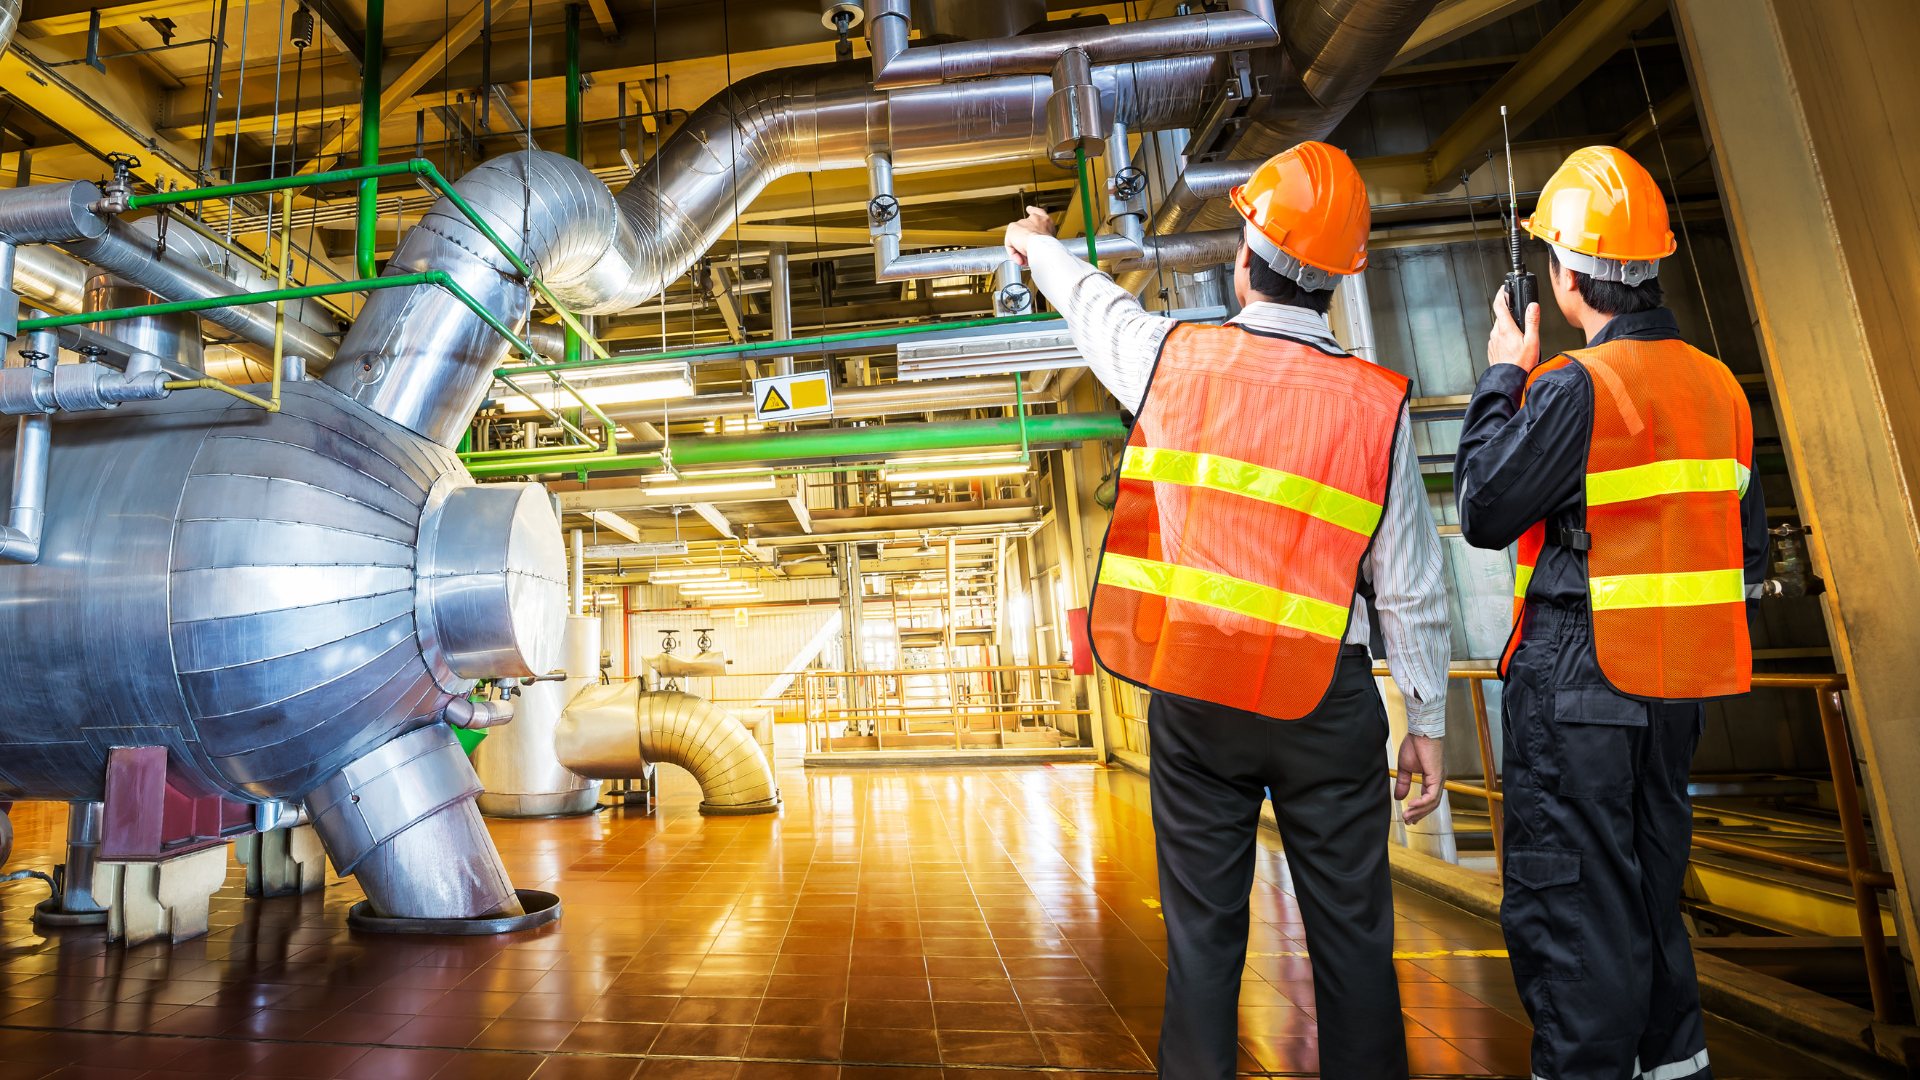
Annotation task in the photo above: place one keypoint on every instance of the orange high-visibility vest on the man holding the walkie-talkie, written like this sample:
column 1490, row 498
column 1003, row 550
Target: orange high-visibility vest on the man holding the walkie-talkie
column 1669, row 460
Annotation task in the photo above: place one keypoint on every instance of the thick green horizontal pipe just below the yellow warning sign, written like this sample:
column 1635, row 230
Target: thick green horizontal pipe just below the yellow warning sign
column 876, row 441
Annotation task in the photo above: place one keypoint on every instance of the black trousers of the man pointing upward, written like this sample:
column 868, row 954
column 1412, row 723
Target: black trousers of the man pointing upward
column 1328, row 772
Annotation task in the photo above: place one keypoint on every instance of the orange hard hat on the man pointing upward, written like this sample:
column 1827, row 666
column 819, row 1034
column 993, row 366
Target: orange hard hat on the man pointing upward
column 1312, row 209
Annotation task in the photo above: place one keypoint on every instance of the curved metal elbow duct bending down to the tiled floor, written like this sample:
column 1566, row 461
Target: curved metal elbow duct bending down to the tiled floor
column 615, row 733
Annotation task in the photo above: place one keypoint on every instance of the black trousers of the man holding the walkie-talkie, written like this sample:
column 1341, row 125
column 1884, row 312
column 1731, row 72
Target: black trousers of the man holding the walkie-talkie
column 1598, row 835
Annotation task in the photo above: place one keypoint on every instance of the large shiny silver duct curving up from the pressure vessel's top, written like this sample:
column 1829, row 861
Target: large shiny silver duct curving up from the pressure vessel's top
column 420, row 358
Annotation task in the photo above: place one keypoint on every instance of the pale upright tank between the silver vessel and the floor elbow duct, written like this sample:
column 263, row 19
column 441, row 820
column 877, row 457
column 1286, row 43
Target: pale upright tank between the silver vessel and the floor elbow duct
column 517, row 764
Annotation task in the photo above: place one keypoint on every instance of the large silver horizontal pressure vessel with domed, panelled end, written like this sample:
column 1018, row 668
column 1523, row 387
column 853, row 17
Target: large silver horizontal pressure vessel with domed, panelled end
column 268, row 597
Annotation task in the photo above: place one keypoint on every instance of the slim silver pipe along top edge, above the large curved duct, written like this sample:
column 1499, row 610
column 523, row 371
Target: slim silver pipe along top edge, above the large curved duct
column 1247, row 24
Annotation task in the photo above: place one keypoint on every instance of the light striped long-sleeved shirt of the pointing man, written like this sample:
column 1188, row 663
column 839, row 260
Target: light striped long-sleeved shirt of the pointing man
column 1120, row 343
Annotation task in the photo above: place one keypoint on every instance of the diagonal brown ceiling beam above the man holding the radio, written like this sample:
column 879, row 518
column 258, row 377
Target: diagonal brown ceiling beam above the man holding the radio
column 1572, row 51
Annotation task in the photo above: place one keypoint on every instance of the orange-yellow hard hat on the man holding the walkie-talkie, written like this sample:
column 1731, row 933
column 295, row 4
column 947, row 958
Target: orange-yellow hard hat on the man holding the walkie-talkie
column 1604, row 205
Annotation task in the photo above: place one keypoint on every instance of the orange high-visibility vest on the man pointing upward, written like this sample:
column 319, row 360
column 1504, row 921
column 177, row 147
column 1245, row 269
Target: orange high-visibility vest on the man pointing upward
column 1249, row 493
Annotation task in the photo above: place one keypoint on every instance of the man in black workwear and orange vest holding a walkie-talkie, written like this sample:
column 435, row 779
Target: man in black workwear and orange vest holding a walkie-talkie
column 1623, row 472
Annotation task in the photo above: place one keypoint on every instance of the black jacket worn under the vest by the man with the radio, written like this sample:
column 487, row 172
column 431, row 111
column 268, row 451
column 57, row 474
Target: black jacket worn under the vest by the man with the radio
column 1524, row 464
